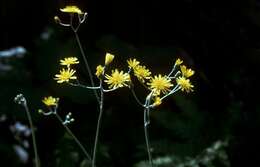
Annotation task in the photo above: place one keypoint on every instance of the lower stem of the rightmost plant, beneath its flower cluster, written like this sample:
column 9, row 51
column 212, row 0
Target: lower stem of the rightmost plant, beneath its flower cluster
column 146, row 111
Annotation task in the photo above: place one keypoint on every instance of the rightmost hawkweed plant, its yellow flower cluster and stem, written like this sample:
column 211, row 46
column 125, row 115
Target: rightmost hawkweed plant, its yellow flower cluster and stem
column 159, row 87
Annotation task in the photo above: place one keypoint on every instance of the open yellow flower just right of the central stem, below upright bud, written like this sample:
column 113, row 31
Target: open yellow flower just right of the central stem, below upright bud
column 117, row 79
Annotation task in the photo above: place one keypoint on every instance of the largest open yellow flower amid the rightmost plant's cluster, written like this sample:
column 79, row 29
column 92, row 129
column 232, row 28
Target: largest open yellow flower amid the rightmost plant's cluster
column 160, row 84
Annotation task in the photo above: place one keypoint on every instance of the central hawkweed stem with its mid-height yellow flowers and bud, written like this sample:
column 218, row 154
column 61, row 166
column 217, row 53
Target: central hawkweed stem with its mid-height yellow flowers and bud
column 116, row 80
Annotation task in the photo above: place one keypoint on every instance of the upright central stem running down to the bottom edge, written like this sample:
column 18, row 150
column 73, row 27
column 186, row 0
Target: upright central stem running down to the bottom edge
column 98, row 123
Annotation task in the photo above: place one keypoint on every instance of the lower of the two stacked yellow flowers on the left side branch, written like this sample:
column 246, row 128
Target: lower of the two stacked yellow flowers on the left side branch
column 65, row 75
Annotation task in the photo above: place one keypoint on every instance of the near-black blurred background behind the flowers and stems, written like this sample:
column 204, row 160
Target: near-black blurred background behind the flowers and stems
column 218, row 39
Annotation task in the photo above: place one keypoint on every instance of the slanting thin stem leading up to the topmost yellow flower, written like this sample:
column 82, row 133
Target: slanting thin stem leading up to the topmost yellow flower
column 86, row 64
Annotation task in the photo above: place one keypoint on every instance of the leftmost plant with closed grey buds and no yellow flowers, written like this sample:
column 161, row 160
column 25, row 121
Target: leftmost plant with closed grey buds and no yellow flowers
column 21, row 100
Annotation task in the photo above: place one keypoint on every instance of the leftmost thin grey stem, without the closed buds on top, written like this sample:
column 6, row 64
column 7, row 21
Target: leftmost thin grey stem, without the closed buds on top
column 37, row 163
